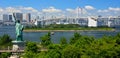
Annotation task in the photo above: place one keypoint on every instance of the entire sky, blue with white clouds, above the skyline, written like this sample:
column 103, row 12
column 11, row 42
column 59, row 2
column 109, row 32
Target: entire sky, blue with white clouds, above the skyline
column 61, row 8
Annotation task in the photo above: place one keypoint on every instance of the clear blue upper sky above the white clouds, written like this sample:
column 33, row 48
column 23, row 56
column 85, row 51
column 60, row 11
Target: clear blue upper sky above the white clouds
column 61, row 4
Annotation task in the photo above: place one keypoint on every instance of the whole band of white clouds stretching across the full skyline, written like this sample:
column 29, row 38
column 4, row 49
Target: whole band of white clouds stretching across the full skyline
column 52, row 11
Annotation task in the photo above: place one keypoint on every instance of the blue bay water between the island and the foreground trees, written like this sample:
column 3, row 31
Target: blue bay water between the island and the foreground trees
column 35, row 36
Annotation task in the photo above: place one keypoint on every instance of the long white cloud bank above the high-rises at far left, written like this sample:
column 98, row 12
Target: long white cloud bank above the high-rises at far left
column 10, row 10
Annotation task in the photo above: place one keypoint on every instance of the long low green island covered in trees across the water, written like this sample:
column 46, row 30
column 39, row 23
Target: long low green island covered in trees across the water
column 67, row 27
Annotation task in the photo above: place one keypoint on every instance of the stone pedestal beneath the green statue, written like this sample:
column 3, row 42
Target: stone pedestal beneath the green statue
column 18, row 45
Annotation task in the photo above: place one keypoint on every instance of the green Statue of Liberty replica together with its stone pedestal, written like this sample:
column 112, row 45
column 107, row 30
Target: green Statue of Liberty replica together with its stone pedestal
column 18, row 43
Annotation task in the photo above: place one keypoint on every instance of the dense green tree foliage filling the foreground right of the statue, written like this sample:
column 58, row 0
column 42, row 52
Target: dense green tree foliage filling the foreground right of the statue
column 79, row 47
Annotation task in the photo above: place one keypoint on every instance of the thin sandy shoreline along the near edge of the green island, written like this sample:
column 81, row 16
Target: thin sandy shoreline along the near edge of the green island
column 62, row 30
